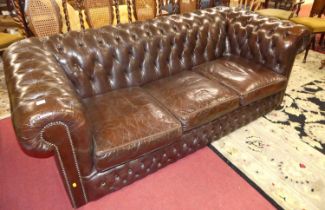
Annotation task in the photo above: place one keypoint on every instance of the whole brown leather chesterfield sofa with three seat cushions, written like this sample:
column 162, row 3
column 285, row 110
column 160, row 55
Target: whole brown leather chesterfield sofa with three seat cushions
column 118, row 103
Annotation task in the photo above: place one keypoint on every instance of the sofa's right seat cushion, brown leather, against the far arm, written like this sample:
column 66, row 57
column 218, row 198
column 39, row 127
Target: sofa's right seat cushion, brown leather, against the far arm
column 250, row 80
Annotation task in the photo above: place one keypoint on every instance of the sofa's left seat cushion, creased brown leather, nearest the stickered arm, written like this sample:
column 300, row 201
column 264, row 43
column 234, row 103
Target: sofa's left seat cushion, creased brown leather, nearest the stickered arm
column 128, row 123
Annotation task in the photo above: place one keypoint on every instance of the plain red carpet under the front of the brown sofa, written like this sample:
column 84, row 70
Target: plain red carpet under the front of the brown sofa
column 200, row 181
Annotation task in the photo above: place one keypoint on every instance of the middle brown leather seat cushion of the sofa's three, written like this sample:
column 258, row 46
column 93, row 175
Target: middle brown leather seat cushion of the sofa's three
column 192, row 98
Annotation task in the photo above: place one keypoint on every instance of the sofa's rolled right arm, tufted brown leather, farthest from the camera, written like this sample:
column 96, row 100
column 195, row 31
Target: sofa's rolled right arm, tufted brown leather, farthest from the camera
column 268, row 41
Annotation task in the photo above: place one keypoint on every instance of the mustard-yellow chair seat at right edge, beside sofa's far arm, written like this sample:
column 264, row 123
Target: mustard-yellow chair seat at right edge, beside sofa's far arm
column 315, row 24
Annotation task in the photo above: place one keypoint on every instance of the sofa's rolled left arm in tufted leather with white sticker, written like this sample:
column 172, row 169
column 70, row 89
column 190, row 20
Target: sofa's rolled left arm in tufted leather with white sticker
column 46, row 111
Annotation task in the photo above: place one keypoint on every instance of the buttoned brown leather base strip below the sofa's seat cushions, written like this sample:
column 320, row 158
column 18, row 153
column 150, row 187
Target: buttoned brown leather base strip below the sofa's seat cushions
column 102, row 183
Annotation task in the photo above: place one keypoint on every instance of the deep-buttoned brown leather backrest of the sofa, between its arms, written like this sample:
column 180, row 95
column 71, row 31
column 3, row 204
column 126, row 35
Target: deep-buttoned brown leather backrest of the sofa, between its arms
column 97, row 61
